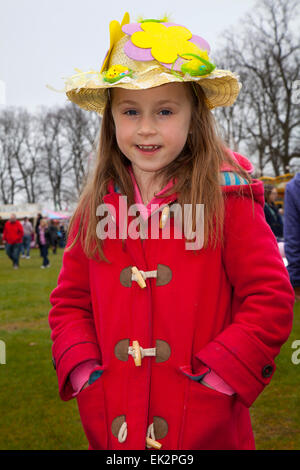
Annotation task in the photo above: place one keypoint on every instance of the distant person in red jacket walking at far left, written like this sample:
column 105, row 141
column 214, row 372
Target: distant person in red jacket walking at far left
column 12, row 238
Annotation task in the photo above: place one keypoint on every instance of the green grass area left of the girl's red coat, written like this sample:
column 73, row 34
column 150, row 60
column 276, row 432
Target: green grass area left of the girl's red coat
column 32, row 413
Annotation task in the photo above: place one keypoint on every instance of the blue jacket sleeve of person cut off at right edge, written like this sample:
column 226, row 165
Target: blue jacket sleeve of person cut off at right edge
column 292, row 235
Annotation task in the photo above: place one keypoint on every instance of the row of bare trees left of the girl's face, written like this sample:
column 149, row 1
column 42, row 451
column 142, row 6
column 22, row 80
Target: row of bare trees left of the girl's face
column 45, row 155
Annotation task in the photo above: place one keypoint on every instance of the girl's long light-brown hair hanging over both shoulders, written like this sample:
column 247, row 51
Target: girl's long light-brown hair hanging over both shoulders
column 195, row 173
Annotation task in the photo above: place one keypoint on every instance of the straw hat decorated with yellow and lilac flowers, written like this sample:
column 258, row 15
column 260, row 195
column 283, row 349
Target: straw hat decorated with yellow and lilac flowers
column 149, row 54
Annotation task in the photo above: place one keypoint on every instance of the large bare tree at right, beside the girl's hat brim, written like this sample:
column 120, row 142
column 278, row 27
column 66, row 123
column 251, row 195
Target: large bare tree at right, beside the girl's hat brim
column 266, row 54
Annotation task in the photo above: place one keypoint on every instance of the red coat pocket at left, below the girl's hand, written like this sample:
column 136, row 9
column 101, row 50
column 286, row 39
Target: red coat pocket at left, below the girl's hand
column 92, row 410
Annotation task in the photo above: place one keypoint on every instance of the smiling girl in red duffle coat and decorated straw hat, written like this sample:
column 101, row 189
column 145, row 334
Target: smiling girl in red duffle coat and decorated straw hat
column 166, row 341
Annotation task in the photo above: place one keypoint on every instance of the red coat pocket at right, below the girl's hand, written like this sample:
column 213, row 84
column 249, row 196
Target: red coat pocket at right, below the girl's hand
column 210, row 420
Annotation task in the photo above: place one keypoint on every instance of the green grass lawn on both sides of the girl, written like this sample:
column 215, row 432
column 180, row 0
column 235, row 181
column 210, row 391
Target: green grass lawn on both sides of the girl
column 32, row 414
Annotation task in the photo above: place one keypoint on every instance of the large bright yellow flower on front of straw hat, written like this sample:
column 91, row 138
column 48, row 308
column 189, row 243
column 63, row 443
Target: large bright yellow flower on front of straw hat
column 166, row 43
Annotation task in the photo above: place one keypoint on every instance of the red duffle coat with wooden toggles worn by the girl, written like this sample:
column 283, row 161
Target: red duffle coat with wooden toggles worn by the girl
column 228, row 310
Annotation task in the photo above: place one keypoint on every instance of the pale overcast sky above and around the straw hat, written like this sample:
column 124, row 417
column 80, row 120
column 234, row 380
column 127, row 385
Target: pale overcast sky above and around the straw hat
column 43, row 41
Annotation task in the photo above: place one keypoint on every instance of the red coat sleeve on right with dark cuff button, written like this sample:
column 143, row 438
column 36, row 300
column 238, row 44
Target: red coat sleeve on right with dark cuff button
column 262, row 304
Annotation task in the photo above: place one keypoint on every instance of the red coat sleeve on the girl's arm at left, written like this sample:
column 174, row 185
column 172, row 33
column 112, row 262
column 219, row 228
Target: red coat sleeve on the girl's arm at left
column 71, row 318
